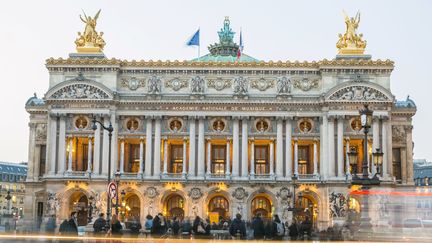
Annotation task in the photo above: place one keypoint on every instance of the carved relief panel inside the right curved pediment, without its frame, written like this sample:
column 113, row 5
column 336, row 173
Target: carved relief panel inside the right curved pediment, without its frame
column 355, row 93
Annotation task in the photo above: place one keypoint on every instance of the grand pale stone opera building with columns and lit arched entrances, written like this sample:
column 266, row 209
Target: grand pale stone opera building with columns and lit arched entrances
column 219, row 135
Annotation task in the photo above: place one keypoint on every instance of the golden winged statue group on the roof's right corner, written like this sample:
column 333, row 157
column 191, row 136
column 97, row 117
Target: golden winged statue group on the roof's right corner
column 351, row 43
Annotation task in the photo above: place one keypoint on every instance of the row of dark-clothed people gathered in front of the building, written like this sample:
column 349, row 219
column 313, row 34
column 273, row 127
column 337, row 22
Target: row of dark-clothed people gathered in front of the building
column 159, row 226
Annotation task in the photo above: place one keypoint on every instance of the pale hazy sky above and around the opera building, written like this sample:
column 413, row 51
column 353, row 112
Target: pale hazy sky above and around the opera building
column 32, row 31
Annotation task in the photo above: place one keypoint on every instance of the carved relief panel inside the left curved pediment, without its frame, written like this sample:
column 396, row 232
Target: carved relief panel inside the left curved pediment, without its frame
column 80, row 91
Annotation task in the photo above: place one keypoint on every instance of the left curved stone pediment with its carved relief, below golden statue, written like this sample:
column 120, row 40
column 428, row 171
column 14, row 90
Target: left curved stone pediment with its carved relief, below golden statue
column 86, row 90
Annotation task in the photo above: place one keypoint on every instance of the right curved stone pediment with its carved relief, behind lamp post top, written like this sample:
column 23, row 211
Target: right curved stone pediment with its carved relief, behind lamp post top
column 359, row 92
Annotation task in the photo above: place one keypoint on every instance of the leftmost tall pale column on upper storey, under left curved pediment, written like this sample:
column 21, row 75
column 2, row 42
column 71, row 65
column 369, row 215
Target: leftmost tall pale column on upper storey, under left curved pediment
column 52, row 144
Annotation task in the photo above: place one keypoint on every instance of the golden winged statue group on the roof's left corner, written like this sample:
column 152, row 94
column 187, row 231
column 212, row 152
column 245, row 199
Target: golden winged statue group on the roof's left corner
column 90, row 41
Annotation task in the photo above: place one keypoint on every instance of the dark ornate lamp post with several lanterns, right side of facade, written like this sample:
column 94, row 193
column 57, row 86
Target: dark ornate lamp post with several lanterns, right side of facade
column 364, row 180
